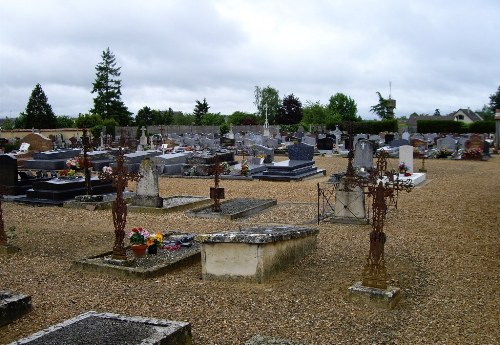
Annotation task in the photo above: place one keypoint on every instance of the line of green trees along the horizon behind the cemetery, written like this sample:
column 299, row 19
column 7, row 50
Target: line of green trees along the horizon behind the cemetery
column 109, row 110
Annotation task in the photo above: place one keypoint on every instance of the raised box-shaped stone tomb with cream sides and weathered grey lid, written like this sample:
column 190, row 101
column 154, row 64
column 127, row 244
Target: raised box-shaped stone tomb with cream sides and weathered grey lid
column 254, row 254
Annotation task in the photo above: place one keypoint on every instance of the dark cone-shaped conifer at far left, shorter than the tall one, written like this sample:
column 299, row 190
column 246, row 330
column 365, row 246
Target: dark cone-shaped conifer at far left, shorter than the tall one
column 38, row 113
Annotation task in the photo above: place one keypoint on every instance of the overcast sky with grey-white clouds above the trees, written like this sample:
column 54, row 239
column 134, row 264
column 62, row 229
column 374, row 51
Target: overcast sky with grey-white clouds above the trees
column 436, row 53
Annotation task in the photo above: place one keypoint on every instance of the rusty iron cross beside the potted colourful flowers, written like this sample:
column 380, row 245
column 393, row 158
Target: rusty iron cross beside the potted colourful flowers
column 120, row 177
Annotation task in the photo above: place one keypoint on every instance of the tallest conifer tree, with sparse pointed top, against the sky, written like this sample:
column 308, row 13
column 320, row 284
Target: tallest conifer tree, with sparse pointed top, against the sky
column 108, row 103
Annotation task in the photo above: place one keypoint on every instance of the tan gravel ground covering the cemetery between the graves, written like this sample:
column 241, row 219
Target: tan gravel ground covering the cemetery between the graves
column 442, row 251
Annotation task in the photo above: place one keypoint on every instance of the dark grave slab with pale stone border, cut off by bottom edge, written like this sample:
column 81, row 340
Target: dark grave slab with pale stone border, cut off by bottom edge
column 112, row 329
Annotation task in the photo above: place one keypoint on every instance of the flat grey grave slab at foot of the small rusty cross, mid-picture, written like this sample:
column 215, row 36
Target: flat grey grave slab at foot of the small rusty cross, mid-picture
column 234, row 208
